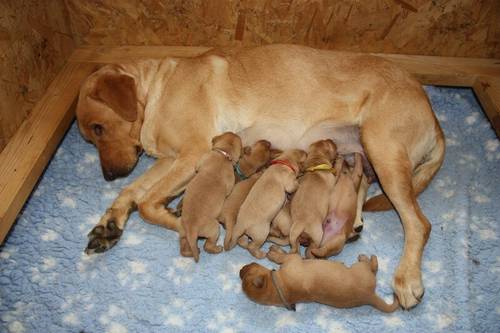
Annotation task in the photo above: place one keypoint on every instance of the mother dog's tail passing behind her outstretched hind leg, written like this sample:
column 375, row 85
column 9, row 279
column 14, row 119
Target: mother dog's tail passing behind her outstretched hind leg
column 422, row 175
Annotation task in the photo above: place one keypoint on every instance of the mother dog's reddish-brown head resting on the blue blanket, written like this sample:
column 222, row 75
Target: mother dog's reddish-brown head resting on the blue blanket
column 108, row 116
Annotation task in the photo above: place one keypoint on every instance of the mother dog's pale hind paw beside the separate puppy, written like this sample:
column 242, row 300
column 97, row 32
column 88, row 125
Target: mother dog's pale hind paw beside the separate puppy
column 408, row 286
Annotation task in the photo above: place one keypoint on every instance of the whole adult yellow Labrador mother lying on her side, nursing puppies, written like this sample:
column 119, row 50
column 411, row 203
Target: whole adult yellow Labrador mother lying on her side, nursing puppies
column 288, row 95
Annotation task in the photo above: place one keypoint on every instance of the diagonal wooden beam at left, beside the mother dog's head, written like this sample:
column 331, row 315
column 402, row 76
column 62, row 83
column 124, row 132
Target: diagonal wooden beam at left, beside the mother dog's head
column 28, row 152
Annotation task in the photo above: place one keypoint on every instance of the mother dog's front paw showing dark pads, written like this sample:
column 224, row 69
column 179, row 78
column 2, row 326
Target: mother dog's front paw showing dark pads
column 103, row 237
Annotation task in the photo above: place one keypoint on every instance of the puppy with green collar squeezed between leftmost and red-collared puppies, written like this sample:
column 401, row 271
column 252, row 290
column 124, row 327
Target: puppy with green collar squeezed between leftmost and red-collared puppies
column 253, row 159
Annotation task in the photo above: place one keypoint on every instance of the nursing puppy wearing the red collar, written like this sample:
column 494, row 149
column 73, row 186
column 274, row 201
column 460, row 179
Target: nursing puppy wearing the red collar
column 265, row 199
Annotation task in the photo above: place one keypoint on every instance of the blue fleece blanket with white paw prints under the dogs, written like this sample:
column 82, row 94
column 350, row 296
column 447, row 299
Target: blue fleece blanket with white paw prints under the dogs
column 47, row 283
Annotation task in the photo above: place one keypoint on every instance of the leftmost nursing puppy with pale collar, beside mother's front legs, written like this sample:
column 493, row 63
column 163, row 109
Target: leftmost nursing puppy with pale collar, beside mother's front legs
column 206, row 192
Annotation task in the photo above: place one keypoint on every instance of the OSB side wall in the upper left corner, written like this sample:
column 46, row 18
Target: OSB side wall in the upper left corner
column 35, row 41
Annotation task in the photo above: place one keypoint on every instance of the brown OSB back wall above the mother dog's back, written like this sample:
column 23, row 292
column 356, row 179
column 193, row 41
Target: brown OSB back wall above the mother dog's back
column 429, row 27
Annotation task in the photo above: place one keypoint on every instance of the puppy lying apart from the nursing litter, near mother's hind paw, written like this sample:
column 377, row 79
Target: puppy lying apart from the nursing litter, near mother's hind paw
column 314, row 280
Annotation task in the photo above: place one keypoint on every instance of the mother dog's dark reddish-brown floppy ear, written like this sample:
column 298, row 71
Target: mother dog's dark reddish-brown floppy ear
column 118, row 91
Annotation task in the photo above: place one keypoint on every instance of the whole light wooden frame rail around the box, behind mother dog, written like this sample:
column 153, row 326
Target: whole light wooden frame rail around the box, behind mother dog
column 28, row 152
